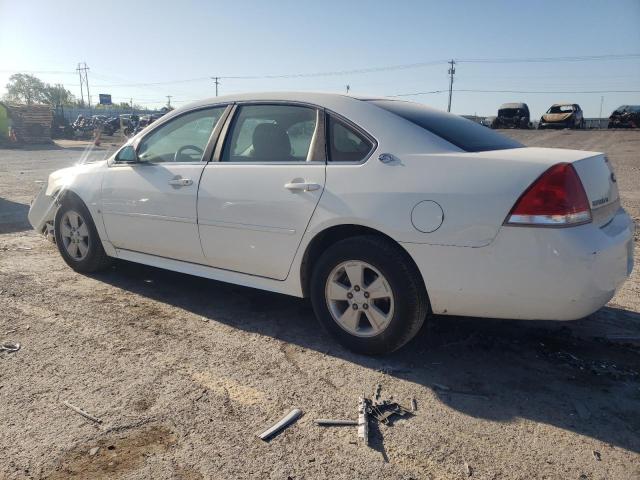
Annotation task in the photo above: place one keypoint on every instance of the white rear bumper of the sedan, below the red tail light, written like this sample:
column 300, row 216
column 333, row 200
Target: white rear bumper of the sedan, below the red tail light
column 530, row 273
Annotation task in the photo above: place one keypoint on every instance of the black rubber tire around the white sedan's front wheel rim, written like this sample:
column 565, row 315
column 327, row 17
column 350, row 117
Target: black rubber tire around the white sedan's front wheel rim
column 96, row 258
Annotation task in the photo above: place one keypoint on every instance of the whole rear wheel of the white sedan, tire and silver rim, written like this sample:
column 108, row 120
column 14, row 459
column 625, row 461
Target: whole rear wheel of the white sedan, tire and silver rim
column 368, row 295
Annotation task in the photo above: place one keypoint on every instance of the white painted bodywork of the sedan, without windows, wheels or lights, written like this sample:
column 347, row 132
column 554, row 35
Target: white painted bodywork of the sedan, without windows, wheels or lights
column 247, row 228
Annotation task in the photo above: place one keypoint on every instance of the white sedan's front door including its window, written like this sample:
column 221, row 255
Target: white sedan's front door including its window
column 149, row 200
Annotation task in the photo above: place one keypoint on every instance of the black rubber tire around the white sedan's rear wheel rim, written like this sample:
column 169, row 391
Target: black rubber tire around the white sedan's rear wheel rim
column 411, row 304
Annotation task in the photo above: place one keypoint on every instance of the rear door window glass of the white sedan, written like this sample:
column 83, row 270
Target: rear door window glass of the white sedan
column 271, row 133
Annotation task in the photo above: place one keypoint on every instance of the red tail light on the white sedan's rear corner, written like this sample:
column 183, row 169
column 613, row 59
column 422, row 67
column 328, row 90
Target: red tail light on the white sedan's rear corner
column 556, row 198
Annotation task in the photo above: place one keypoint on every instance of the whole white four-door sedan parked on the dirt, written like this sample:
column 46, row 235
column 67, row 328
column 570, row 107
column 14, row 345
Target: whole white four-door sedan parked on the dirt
column 381, row 211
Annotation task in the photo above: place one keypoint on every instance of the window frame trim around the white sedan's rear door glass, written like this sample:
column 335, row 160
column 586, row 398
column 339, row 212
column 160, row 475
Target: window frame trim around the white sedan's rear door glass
column 317, row 145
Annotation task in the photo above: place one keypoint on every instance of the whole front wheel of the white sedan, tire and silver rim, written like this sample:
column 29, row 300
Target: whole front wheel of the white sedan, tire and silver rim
column 77, row 238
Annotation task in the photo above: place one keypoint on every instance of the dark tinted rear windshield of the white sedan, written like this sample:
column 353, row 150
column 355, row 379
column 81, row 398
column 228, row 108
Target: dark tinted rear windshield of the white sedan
column 464, row 134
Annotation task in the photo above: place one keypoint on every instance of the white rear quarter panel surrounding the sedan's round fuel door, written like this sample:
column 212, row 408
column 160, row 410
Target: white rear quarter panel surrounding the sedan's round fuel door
column 476, row 191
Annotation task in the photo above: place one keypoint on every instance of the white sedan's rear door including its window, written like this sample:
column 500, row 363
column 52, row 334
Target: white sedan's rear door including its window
column 256, row 198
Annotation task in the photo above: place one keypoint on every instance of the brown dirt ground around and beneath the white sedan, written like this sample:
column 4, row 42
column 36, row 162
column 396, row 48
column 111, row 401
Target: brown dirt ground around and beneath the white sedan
column 184, row 371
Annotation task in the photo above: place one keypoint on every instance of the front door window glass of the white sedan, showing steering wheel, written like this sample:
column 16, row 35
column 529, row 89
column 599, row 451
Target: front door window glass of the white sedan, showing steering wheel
column 182, row 139
